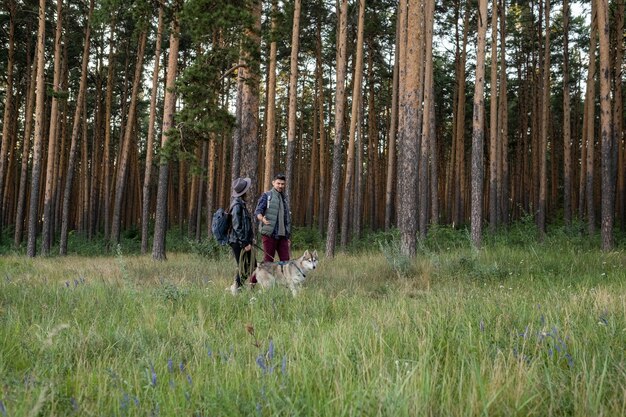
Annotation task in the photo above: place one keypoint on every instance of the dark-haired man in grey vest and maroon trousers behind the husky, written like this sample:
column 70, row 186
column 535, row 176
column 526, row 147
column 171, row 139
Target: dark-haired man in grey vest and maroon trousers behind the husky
column 274, row 216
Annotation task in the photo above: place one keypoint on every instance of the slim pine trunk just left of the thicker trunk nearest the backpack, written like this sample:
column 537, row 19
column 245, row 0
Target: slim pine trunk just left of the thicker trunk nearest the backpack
column 147, row 179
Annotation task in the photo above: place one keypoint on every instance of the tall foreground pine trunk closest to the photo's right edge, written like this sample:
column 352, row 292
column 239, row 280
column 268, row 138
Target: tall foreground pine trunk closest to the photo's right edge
column 606, row 124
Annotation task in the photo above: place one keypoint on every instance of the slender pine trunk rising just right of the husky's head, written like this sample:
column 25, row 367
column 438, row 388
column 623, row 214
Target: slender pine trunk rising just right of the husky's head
column 340, row 103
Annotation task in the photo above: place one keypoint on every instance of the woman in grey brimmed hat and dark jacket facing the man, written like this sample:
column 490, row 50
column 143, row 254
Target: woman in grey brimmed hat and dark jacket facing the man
column 241, row 232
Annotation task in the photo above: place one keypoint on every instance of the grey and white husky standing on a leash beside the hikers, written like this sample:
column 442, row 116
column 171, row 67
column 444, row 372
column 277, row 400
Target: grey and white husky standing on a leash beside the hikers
column 290, row 273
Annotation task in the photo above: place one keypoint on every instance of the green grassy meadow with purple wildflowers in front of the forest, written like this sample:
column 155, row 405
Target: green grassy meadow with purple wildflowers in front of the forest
column 519, row 328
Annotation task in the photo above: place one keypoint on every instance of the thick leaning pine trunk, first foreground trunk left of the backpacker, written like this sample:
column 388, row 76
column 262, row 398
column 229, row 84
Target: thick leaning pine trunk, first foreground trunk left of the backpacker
column 169, row 103
